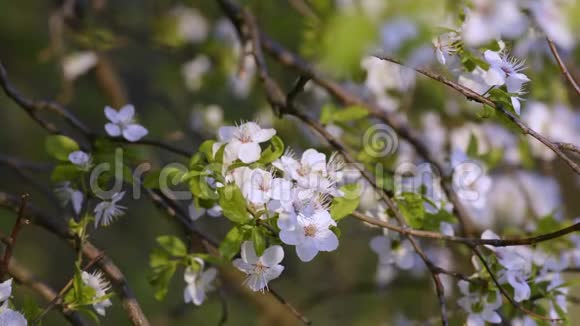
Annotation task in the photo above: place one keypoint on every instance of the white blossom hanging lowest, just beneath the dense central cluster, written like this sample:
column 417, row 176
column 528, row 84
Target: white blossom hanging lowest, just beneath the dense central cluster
column 260, row 270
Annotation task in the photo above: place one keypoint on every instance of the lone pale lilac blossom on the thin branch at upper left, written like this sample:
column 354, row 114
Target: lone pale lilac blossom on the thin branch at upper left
column 123, row 123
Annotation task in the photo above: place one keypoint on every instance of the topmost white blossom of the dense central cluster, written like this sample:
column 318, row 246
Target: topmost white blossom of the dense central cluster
column 243, row 142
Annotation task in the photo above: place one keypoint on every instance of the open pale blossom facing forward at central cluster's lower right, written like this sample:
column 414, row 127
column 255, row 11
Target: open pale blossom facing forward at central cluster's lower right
column 311, row 234
